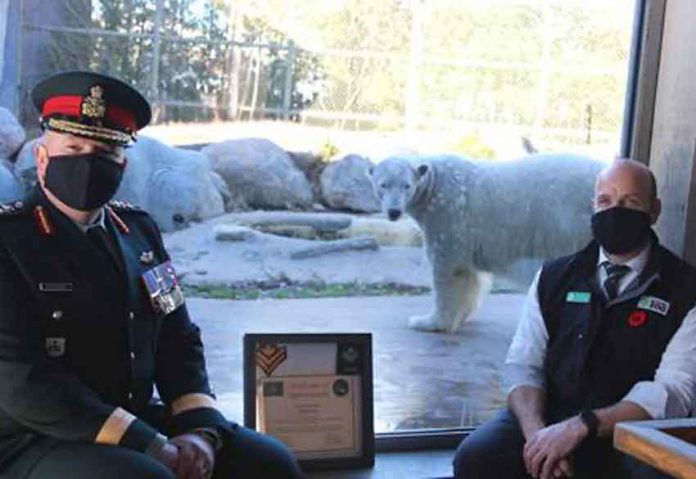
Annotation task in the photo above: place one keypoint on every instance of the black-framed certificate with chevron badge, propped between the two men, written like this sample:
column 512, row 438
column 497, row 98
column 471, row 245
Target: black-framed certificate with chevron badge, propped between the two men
column 314, row 393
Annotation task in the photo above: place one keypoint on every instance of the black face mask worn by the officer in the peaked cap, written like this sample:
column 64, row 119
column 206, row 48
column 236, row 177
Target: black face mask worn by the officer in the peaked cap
column 83, row 182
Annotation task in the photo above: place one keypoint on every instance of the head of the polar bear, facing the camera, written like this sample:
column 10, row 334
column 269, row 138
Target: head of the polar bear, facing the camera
column 395, row 182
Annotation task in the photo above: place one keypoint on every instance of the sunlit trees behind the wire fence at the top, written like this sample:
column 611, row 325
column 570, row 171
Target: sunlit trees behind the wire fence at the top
column 557, row 67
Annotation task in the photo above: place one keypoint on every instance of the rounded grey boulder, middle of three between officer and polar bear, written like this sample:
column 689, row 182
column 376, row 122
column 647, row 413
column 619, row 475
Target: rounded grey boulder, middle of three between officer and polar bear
column 260, row 174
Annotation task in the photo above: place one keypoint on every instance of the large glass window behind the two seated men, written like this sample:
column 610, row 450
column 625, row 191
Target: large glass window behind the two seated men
column 483, row 81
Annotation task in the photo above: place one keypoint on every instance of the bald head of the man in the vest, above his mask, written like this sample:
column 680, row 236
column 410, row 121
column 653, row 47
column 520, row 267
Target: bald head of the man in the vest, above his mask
column 628, row 184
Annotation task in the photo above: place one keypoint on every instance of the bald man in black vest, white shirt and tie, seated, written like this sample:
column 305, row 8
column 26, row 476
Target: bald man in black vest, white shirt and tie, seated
column 607, row 334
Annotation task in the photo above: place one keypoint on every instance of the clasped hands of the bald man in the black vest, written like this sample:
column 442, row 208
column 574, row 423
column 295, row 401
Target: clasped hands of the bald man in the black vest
column 546, row 453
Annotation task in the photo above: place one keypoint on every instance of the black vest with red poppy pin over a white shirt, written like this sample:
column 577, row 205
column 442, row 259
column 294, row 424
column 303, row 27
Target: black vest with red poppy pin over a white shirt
column 597, row 350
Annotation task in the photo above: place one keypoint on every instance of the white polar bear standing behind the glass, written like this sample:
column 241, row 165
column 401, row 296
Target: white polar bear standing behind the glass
column 479, row 218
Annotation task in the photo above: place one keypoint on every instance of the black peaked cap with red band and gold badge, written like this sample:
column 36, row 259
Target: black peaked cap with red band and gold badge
column 91, row 105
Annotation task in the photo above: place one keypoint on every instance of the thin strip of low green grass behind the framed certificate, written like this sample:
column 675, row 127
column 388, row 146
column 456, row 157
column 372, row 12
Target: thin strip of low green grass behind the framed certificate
column 304, row 290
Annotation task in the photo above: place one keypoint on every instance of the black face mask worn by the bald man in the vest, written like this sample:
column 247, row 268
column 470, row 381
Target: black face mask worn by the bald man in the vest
column 620, row 230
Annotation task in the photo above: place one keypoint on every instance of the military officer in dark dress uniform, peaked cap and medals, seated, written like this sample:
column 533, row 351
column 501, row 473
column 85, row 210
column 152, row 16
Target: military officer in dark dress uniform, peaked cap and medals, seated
column 92, row 318
